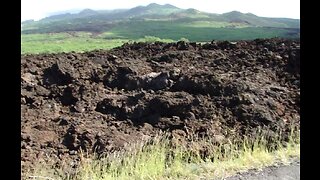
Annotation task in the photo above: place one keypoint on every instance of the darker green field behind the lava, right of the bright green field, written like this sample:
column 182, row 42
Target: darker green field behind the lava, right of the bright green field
column 195, row 31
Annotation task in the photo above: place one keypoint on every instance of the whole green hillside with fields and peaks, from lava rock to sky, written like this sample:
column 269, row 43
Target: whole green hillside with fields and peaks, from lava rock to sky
column 105, row 29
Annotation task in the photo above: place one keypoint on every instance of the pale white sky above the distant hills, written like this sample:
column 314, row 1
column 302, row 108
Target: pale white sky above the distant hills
column 38, row 9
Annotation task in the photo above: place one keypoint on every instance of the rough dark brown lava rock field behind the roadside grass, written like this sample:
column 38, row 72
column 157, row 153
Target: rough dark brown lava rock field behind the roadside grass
column 100, row 101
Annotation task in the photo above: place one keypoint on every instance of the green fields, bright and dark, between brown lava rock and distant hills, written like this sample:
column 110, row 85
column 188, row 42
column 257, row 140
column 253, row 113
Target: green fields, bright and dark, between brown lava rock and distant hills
column 166, row 31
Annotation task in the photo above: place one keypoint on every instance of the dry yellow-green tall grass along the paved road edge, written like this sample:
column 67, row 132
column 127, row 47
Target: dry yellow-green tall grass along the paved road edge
column 162, row 158
